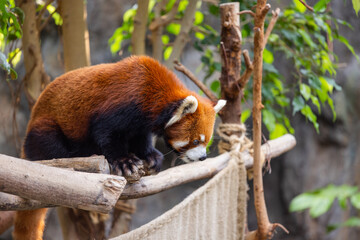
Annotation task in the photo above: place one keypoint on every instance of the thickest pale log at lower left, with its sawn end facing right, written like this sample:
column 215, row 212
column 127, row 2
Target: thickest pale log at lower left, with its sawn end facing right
column 56, row 186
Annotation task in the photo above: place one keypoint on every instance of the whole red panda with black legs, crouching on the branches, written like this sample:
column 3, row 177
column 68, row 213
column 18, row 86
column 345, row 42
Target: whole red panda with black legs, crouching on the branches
column 113, row 110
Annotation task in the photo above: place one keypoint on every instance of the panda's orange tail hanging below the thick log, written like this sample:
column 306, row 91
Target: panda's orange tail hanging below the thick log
column 29, row 224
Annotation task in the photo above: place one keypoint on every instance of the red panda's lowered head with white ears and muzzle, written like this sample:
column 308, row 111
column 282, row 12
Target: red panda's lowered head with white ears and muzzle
column 191, row 127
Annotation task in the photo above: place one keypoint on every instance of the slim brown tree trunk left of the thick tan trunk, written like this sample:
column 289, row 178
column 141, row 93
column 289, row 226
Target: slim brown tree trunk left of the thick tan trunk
column 35, row 78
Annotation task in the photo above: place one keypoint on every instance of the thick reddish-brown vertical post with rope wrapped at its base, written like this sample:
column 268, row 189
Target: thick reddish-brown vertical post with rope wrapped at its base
column 230, row 49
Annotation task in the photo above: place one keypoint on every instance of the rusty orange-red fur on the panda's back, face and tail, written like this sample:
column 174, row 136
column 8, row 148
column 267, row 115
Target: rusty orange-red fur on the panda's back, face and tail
column 100, row 89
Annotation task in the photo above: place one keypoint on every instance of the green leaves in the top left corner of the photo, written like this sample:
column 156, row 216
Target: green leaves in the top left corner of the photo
column 11, row 18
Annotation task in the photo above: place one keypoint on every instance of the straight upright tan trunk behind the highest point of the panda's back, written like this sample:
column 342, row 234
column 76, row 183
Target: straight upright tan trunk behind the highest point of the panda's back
column 140, row 22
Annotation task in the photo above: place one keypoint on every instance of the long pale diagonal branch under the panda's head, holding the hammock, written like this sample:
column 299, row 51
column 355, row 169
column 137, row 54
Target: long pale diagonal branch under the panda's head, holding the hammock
column 169, row 178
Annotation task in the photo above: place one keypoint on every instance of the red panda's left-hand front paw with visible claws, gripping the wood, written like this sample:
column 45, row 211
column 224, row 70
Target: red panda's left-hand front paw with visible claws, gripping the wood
column 130, row 167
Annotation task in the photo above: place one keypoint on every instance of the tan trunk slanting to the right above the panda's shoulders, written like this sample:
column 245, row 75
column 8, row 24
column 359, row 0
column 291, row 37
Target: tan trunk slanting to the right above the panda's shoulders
column 182, row 38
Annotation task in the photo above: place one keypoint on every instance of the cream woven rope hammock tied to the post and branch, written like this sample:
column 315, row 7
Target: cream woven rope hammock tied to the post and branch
column 217, row 210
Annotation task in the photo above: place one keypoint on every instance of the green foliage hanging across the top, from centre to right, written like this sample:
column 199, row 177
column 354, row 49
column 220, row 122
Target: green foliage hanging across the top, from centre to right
column 299, row 35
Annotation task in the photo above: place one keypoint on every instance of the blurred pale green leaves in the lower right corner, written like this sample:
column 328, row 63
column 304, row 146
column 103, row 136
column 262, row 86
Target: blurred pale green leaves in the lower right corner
column 321, row 200
